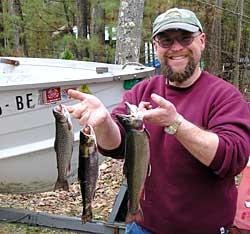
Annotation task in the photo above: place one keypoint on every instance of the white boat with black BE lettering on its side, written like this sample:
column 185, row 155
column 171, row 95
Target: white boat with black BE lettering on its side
column 27, row 156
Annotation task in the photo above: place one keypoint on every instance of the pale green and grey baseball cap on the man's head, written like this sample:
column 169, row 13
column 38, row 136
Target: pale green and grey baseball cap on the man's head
column 176, row 18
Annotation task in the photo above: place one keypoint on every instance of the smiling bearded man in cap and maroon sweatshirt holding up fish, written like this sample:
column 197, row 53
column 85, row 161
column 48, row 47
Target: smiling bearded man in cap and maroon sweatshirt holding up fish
column 199, row 128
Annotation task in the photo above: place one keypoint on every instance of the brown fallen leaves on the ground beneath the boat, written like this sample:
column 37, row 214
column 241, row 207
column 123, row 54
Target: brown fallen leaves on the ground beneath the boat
column 70, row 203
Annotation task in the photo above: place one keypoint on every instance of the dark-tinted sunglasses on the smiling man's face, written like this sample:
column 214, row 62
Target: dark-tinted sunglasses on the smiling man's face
column 184, row 40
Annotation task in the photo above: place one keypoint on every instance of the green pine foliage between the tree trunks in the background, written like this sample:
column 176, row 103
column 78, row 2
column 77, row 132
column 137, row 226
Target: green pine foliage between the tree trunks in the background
column 41, row 19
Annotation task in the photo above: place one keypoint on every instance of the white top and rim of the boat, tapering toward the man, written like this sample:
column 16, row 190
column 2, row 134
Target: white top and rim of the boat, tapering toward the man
column 129, row 73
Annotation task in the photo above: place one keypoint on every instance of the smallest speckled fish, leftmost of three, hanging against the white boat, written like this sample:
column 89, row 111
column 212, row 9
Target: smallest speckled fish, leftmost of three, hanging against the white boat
column 63, row 145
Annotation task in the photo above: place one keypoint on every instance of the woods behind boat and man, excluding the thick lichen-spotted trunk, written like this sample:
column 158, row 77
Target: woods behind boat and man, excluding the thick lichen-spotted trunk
column 86, row 30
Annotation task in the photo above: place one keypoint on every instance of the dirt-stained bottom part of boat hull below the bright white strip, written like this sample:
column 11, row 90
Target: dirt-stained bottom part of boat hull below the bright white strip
column 33, row 171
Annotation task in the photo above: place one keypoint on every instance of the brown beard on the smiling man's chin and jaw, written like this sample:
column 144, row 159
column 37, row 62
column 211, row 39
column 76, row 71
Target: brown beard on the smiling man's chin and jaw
column 179, row 77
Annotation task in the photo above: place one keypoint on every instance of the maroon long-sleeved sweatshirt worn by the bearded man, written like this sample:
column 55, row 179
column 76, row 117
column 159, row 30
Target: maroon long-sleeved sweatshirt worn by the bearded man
column 182, row 195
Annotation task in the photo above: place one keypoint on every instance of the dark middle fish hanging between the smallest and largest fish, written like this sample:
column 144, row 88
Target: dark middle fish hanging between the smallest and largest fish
column 88, row 169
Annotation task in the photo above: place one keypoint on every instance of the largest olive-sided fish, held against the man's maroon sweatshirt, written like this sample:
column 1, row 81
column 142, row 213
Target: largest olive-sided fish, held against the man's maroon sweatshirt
column 137, row 156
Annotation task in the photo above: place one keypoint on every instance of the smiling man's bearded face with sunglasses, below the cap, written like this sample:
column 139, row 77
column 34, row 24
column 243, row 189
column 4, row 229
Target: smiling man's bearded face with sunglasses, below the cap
column 179, row 52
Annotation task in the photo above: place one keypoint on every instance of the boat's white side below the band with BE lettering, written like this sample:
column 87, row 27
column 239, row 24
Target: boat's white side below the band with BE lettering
column 27, row 155
